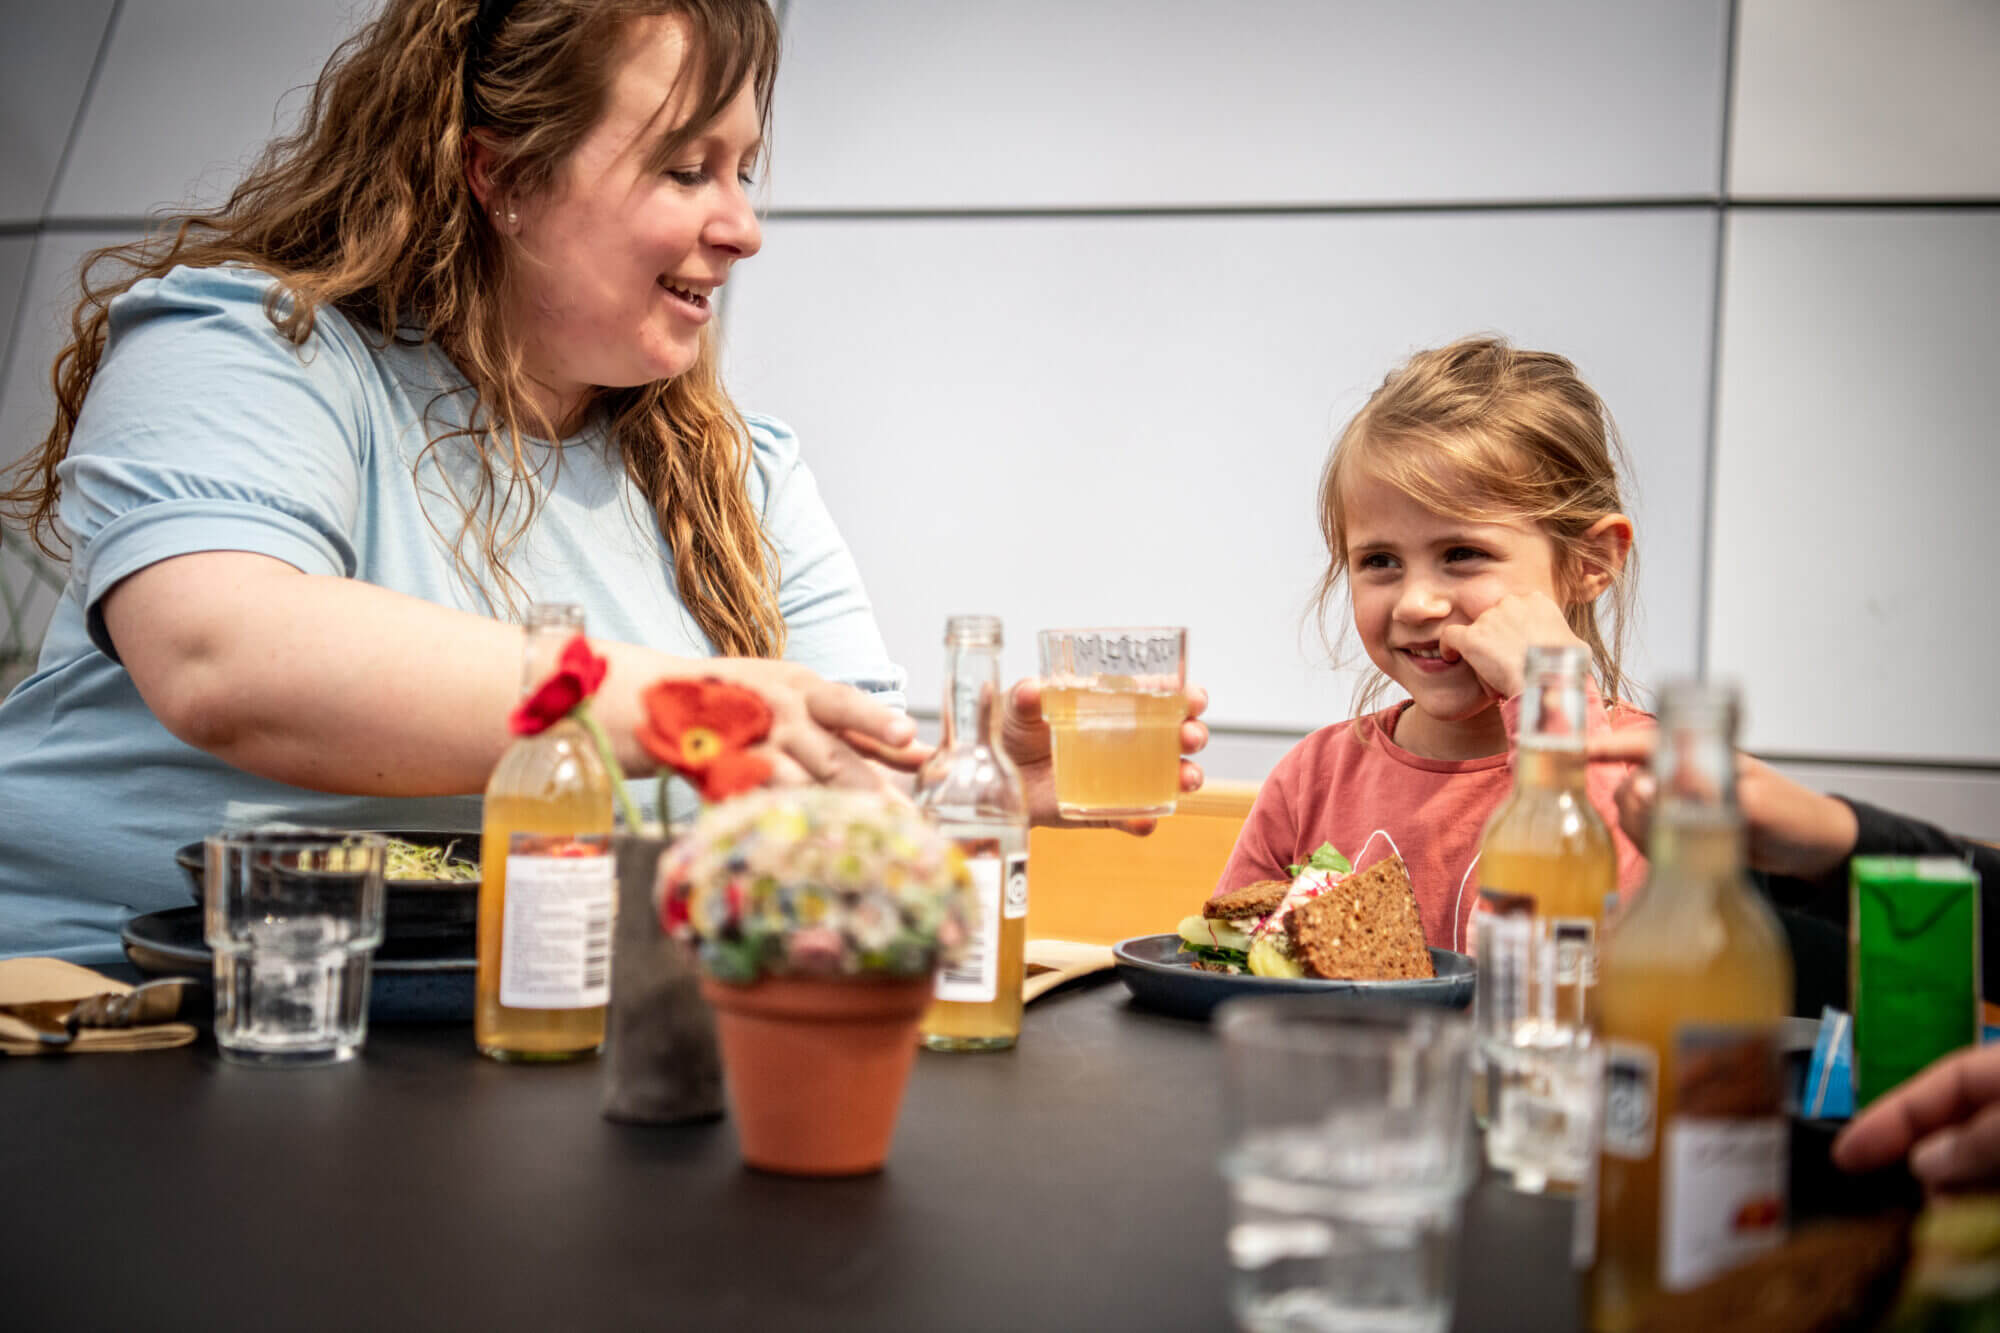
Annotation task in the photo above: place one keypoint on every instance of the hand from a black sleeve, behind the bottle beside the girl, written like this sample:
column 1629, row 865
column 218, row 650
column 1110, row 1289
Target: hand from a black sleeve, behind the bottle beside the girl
column 1793, row 830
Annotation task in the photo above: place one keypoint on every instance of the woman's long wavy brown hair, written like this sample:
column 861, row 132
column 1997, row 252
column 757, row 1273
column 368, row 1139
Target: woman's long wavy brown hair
column 367, row 209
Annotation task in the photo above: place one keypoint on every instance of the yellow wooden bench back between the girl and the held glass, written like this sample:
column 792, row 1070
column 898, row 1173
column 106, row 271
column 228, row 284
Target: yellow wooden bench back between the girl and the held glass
column 1099, row 886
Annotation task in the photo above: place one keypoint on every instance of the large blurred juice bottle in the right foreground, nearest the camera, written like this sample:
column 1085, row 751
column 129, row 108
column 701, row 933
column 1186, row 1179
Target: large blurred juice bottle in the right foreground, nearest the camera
column 1697, row 980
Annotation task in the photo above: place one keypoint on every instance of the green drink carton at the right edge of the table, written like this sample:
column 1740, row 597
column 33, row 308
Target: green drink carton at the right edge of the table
column 1915, row 980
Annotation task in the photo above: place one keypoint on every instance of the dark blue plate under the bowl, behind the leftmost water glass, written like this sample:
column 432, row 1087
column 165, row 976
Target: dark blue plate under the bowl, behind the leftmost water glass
column 411, row 982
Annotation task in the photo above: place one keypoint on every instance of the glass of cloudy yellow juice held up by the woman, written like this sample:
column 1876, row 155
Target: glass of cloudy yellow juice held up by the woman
column 1113, row 702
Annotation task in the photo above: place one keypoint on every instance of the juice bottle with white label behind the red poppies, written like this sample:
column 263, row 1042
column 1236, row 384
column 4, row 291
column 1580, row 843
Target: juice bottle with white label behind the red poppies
column 547, row 882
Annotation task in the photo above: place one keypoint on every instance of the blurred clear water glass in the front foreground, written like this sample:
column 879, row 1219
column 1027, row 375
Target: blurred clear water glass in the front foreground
column 1349, row 1162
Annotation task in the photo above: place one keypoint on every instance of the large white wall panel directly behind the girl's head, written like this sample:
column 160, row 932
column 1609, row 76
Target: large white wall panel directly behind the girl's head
column 1123, row 419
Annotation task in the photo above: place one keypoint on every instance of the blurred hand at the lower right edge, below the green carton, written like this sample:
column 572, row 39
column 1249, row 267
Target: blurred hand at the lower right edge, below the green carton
column 1947, row 1120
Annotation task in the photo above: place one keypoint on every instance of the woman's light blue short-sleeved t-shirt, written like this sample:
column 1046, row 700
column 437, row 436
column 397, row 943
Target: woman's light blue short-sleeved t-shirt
column 209, row 431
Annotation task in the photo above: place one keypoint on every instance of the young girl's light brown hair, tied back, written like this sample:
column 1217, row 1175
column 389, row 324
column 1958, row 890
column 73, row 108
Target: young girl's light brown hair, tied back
column 1489, row 431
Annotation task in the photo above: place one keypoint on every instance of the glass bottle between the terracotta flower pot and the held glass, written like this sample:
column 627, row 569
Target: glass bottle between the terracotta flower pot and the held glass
column 975, row 796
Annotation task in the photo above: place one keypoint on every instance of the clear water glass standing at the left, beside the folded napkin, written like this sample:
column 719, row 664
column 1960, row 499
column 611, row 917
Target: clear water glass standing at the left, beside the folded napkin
column 293, row 920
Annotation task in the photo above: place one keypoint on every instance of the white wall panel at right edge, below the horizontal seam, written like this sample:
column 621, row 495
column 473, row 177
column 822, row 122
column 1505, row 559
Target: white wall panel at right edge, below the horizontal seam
column 1857, row 481
